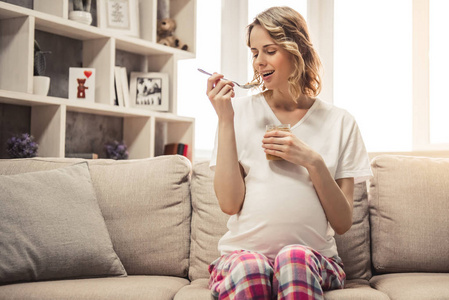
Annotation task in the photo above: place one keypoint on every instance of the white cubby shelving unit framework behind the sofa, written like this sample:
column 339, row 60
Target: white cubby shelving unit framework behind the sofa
column 141, row 128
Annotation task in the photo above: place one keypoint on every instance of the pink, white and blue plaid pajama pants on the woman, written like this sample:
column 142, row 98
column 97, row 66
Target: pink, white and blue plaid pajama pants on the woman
column 298, row 272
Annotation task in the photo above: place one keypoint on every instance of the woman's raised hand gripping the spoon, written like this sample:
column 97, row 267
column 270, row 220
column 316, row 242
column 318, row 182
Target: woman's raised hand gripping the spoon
column 220, row 92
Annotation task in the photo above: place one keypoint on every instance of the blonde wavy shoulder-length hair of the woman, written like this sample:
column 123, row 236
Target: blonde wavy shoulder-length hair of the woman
column 288, row 29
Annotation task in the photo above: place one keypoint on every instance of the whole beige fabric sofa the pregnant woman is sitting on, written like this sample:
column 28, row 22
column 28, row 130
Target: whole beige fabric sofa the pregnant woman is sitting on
column 164, row 223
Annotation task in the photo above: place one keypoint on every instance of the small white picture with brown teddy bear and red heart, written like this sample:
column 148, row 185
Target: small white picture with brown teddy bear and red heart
column 82, row 84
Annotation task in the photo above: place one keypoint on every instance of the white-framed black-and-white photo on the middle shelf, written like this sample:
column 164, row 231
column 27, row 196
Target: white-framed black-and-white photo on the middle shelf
column 149, row 90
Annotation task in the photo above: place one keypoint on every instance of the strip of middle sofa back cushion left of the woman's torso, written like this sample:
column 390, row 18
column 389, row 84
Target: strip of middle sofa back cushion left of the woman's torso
column 208, row 221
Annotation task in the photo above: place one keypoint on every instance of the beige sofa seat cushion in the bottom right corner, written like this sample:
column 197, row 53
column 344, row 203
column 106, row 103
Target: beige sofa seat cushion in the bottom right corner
column 406, row 286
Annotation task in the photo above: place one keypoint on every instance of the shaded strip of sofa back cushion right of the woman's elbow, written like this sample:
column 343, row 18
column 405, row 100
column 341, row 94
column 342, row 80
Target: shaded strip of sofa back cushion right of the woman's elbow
column 354, row 246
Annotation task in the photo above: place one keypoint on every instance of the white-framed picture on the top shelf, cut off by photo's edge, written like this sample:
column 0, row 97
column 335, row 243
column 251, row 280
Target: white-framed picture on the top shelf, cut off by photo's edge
column 119, row 16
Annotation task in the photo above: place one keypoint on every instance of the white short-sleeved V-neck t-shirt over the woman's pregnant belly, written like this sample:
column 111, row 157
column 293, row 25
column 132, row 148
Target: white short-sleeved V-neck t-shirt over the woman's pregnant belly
column 281, row 206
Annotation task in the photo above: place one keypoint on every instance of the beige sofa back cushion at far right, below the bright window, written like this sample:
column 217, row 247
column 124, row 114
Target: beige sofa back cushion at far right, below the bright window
column 409, row 201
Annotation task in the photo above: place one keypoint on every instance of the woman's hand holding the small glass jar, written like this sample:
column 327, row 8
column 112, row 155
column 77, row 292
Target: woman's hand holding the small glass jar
column 287, row 146
